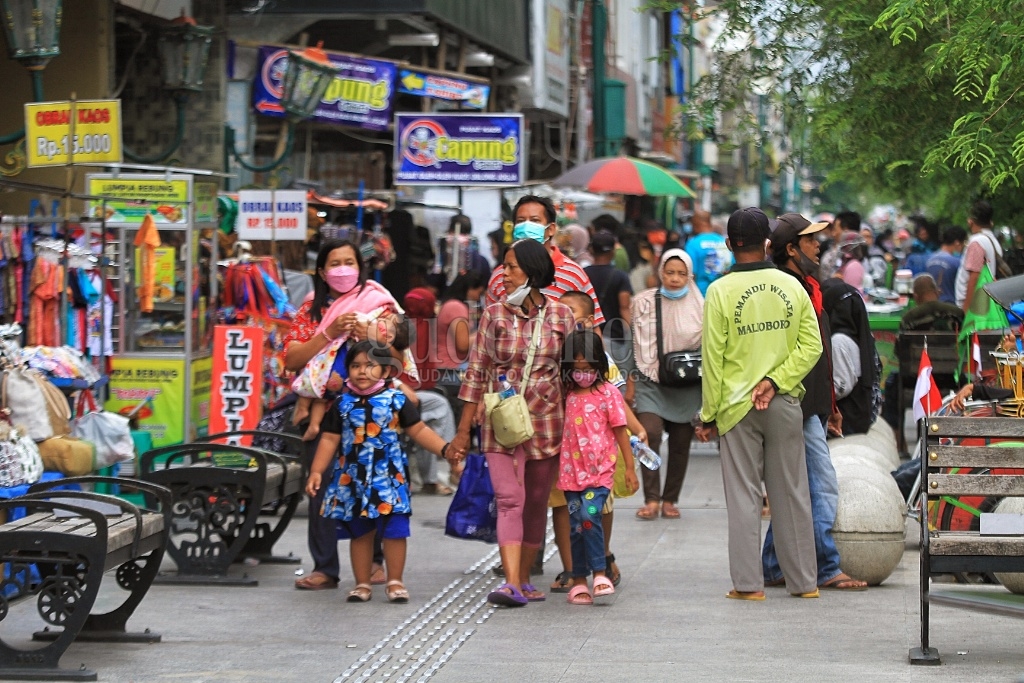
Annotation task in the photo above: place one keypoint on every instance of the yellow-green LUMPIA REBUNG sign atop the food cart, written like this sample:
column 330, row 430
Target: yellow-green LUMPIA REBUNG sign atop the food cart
column 132, row 199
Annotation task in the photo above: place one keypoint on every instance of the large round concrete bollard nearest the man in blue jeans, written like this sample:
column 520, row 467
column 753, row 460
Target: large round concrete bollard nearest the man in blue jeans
column 870, row 530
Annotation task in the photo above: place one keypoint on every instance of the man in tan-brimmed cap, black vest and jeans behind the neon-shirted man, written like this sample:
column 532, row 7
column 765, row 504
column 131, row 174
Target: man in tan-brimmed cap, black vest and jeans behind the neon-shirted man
column 795, row 251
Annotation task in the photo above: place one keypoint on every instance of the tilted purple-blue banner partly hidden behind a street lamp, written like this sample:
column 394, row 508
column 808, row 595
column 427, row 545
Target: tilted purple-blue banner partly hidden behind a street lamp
column 361, row 96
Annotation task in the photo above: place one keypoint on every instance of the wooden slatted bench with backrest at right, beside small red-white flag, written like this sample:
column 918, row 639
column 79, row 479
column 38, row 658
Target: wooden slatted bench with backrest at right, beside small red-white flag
column 951, row 552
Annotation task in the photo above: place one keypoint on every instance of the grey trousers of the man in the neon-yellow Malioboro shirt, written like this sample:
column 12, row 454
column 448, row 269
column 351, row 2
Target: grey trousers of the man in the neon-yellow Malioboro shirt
column 769, row 446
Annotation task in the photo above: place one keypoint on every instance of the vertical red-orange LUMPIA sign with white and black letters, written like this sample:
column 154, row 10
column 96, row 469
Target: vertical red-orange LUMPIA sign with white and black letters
column 237, row 392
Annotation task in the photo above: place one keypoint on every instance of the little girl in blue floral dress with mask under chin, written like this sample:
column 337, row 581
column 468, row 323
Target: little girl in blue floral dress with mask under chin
column 368, row 490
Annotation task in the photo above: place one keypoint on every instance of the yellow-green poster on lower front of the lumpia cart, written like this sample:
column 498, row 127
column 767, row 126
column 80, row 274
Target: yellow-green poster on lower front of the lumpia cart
column 159, row 387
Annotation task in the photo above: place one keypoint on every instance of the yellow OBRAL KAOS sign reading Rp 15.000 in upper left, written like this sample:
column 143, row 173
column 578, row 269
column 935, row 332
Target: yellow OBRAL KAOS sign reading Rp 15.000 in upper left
column 52, row 140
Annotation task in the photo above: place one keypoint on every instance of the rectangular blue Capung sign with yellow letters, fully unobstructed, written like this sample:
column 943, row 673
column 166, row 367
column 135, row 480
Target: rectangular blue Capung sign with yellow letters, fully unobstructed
column 459, row 150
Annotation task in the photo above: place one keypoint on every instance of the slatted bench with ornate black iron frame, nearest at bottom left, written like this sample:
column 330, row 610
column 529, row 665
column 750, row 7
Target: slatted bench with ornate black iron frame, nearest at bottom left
column 71, row 542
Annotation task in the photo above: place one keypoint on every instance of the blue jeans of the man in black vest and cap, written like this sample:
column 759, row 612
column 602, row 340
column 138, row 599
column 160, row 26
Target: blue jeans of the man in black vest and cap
column 825, row 501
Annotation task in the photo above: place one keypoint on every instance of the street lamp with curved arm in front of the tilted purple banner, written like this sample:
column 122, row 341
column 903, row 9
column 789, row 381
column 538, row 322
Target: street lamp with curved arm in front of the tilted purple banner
column 308, row 75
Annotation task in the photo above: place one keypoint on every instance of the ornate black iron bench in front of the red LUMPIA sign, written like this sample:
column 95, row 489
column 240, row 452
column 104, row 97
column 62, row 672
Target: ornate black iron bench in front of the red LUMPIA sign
column 219, row 492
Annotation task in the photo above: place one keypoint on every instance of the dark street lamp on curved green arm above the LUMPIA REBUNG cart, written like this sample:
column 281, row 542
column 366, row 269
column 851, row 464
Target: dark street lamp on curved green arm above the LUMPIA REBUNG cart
column 185, row 50
